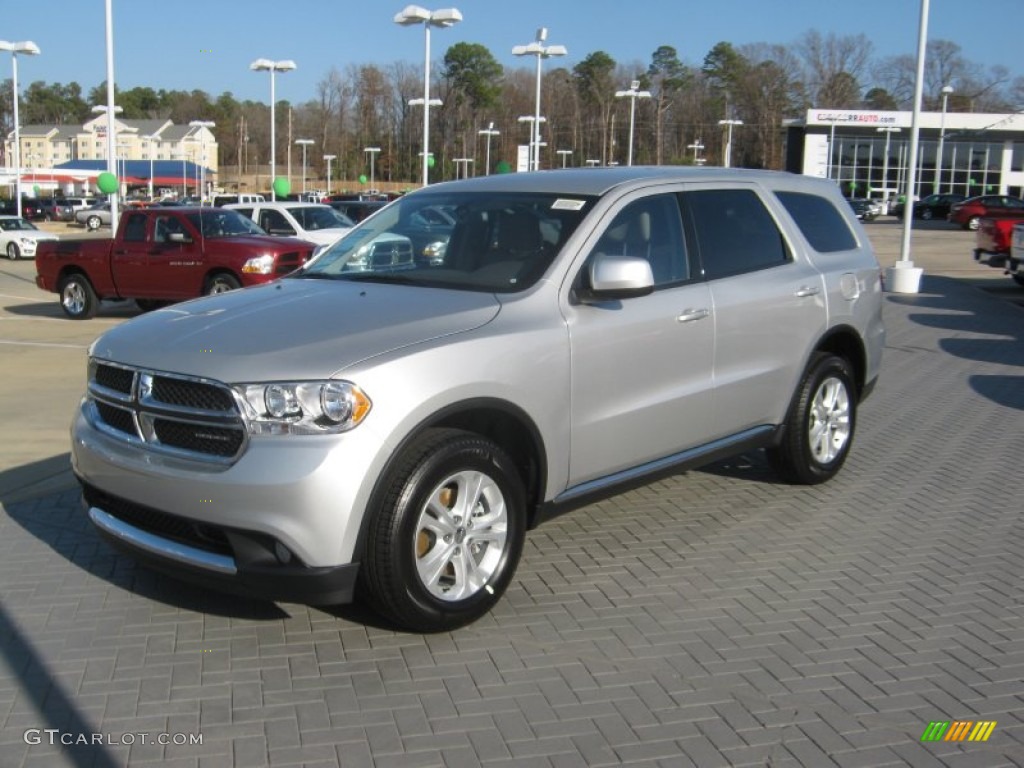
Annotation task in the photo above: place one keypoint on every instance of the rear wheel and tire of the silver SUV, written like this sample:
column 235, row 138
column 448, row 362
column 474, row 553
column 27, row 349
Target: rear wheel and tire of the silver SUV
column 820, row 428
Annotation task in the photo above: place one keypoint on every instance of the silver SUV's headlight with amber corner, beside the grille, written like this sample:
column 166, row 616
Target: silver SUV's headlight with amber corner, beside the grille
column 305, row 407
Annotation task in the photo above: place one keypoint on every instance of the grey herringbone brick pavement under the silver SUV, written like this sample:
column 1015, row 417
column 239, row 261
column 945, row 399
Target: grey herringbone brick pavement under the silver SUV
column 716, row 618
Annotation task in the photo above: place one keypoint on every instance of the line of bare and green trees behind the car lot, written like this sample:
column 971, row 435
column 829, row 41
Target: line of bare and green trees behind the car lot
column 368, row 106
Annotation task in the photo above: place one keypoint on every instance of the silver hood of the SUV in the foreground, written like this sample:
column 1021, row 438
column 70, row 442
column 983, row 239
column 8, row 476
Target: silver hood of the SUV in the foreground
column 292, row 329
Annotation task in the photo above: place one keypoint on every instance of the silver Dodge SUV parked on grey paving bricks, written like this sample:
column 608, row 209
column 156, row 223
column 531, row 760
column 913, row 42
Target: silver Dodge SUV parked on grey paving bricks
column 394, row 430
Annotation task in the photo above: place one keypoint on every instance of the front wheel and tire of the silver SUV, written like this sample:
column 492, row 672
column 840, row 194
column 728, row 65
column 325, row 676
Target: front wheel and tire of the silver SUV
column 420, row 554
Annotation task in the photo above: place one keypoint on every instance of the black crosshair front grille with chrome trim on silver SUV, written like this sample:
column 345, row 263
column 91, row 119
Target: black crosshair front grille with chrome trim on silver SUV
column 168, row 413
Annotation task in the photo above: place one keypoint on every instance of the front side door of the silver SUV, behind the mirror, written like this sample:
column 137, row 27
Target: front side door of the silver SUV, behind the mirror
column 642, row 368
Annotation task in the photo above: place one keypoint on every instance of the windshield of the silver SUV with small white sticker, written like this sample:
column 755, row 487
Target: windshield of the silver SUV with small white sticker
column 499, row 243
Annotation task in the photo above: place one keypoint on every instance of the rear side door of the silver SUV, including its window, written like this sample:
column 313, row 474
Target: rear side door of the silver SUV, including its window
column 769, row 305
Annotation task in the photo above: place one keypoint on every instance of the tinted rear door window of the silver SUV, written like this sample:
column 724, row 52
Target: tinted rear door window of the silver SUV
column 735, row 233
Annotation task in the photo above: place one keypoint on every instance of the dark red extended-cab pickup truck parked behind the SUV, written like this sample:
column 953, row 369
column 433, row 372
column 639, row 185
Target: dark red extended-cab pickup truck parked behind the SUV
column 161, row 255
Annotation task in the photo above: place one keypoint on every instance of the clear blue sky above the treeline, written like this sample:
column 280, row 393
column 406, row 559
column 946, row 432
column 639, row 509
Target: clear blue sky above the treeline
column 187, row 45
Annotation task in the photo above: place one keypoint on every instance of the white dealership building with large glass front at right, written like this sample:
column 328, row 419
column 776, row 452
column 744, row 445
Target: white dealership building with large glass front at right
column 868, row 152
